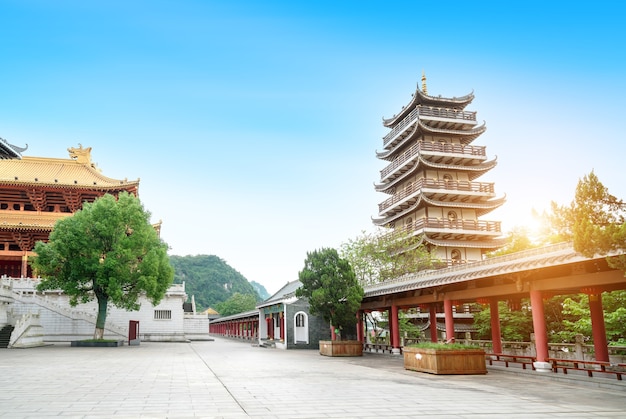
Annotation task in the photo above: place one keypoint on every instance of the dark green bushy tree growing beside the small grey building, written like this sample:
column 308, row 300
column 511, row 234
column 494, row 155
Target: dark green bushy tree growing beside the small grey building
column 331, row 287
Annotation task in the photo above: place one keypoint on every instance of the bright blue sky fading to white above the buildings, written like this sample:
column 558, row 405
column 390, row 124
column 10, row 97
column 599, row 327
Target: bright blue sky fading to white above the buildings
column 253, row 125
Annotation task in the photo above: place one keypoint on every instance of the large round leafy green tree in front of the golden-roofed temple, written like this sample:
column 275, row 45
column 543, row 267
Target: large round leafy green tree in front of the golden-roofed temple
column 108, row 251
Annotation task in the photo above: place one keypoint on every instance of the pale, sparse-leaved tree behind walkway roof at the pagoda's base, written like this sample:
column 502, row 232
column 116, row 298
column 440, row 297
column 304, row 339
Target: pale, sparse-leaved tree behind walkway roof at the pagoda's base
column 377, row 257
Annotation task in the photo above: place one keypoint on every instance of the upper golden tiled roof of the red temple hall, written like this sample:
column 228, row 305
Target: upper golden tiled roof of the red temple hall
column 75, row 172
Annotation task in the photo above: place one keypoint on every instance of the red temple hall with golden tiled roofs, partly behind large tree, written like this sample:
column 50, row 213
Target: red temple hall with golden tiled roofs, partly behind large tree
column 35, row 192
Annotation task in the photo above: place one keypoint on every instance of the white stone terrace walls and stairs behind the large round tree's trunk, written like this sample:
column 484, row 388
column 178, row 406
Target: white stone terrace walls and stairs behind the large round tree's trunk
column 35, row 317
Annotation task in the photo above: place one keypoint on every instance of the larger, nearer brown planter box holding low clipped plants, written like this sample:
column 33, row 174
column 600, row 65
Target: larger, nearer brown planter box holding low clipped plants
column 445, row 361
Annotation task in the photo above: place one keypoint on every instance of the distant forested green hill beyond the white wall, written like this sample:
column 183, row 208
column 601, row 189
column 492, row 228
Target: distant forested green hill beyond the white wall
column 211, row 280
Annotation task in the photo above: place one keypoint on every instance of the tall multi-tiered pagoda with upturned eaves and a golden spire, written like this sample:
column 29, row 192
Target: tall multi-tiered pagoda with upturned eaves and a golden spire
column 431, row 178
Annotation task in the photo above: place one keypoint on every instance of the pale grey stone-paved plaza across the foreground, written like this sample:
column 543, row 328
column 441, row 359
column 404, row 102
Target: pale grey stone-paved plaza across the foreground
column 230, row 379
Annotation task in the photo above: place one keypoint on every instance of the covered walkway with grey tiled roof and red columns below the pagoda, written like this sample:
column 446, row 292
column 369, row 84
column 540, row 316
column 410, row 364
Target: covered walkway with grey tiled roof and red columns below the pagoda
column 534, row 274
